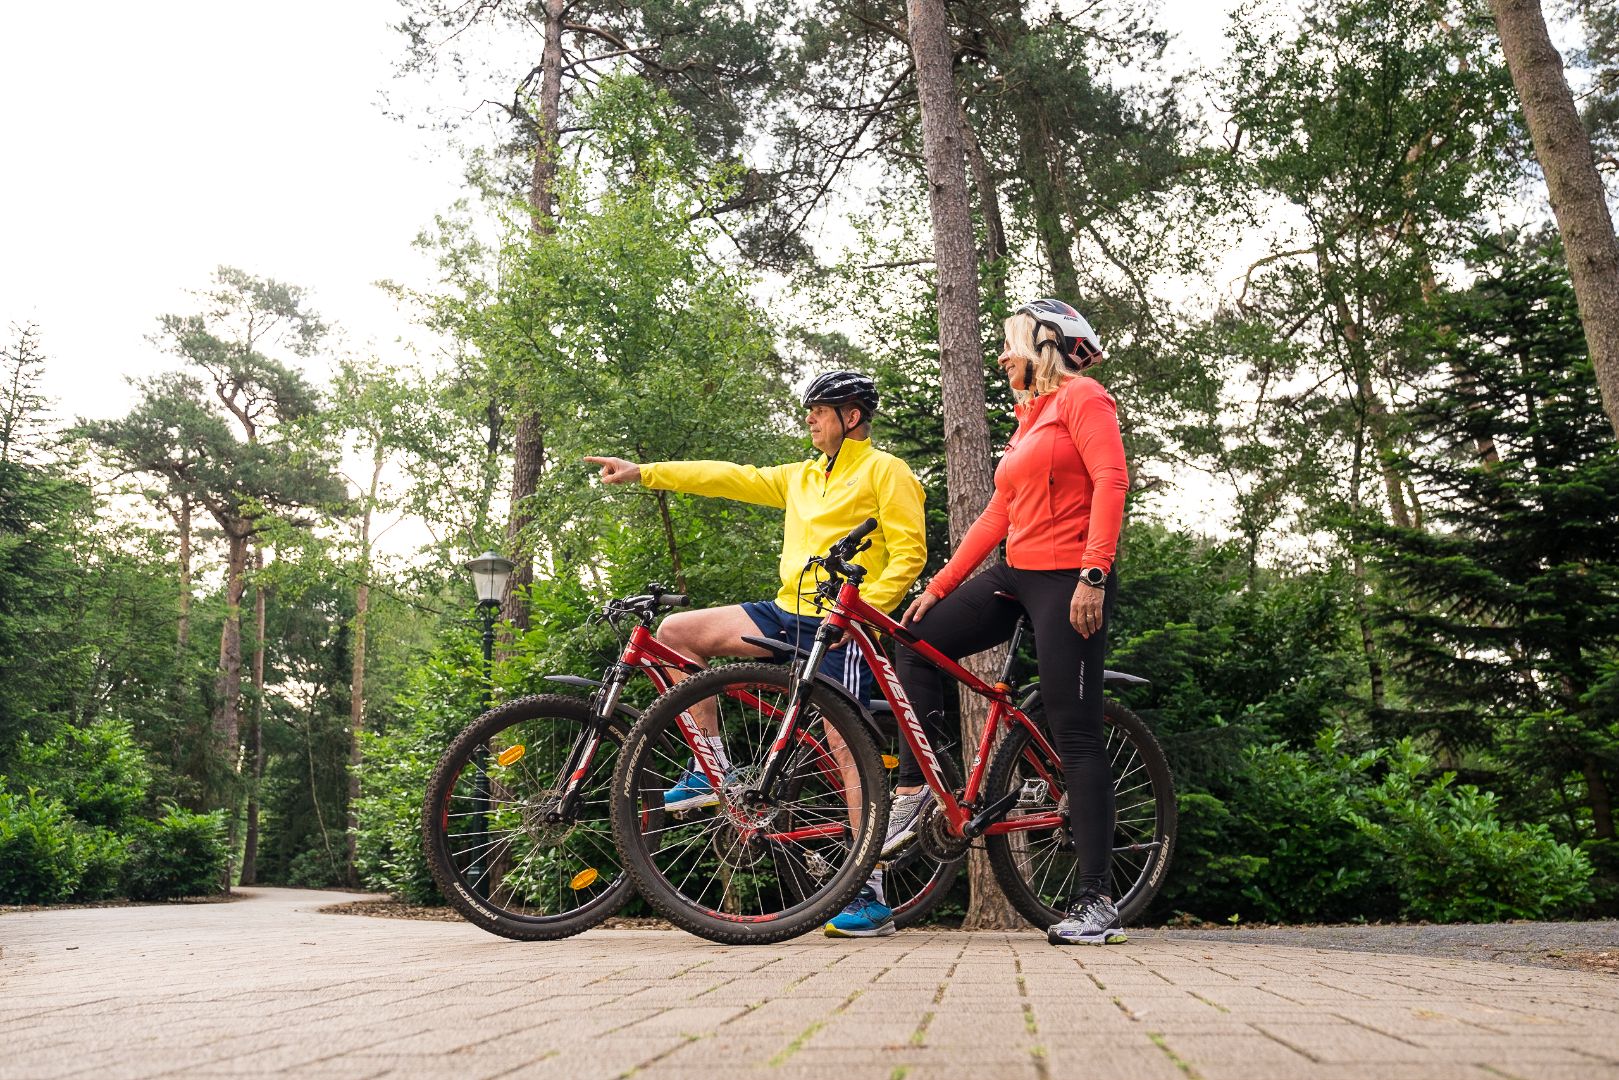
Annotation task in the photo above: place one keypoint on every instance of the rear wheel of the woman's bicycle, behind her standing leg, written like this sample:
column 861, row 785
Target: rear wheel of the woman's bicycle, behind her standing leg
column 1037, row 869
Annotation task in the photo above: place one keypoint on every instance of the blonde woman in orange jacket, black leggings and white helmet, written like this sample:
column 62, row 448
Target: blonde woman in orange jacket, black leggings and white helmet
column 1060, row 506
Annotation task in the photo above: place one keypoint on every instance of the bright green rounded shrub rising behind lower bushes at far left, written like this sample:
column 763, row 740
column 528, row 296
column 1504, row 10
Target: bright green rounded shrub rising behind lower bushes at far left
column 100, row 772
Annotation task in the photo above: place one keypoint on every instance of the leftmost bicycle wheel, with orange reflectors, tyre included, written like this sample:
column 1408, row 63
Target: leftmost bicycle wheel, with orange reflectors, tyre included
column 499, row 851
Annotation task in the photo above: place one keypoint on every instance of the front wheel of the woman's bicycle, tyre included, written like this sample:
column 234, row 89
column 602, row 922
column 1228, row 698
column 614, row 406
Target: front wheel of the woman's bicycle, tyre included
column 737, row 874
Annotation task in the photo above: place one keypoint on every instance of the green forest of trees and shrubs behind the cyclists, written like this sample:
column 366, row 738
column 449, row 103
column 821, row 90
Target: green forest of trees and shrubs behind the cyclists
column 1383, row 657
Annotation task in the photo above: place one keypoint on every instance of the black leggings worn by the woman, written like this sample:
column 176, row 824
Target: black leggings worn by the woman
column 974, row 619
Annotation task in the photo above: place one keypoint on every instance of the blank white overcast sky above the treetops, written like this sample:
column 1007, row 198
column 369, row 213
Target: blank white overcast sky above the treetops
column 145, row 145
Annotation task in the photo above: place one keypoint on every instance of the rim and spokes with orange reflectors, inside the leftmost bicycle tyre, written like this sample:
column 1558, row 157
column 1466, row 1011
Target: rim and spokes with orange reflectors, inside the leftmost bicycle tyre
column 516, row 861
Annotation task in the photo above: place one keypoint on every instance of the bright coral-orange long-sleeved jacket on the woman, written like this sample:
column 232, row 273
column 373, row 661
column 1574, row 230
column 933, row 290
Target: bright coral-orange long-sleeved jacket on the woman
column 1060, row 490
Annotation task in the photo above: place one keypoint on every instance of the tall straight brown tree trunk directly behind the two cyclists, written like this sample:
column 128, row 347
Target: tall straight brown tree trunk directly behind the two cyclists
column 961, row 362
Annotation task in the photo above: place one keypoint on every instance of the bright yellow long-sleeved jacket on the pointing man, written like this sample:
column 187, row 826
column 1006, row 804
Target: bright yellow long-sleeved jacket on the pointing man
column 822, row 508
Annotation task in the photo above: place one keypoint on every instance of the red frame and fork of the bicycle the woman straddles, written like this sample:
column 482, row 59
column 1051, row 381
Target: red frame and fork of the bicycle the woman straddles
column 852, row 614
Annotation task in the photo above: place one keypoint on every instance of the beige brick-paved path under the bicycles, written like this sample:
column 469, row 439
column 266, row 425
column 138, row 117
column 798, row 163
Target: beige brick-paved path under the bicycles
column 268, row 987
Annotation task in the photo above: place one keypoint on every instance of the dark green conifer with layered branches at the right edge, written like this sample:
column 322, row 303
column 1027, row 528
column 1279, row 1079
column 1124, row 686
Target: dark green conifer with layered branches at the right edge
column 1505, row 618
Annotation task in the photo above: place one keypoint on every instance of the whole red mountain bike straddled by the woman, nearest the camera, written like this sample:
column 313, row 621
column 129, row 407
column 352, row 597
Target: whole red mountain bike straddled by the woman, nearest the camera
column 1014, row 796
